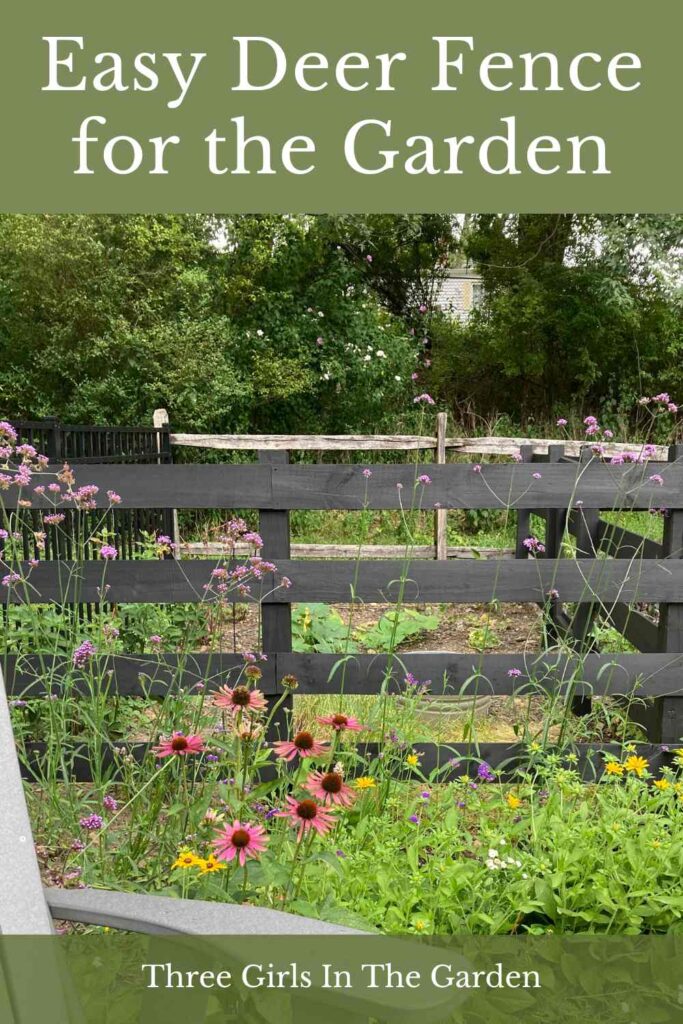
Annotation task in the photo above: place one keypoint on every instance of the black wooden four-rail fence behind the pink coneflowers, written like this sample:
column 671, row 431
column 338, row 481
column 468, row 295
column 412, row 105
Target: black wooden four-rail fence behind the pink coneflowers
column 614, row 571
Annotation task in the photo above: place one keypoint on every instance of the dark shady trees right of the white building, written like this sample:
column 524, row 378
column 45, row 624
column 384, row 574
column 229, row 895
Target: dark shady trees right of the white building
column 579, row 311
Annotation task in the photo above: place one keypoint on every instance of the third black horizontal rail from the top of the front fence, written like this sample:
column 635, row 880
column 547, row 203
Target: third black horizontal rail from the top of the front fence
column 444, row 673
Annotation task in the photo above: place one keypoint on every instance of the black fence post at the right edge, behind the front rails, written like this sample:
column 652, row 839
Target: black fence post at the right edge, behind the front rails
column 669, row 711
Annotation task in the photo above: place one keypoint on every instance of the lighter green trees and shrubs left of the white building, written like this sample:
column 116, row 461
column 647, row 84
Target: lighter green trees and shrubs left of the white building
column 261, row 324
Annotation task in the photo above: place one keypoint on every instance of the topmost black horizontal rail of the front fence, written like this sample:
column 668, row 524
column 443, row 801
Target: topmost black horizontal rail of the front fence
column 452, row 487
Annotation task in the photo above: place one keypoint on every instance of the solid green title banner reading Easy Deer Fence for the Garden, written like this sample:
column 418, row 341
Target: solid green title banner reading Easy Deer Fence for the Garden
column 355, row 107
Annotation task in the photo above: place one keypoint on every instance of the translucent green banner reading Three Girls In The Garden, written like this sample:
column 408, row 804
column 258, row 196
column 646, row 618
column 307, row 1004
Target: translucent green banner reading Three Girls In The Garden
column 125, row 978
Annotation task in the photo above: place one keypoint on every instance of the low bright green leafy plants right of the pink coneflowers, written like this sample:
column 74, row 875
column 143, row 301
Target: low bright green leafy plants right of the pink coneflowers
column 563, row 858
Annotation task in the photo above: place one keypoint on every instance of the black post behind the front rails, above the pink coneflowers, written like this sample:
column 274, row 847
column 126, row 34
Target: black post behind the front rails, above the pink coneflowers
column 276, row 618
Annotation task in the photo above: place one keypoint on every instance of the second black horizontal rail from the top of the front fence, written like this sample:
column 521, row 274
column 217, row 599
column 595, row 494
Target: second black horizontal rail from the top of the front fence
column 377, row 582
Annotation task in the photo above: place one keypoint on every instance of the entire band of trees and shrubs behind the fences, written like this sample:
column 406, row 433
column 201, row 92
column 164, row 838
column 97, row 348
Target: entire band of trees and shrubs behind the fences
column 322, row 323
